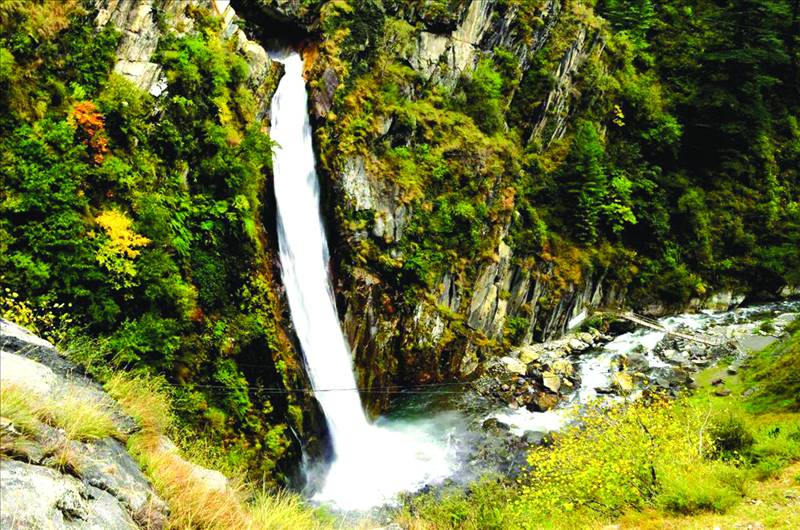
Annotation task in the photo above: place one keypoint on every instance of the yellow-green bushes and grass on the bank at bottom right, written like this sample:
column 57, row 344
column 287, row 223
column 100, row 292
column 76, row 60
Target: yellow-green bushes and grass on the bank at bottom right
column 664, row 458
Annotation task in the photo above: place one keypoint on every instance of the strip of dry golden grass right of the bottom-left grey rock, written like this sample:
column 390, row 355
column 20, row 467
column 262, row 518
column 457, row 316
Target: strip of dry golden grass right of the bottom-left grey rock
column 193, row 502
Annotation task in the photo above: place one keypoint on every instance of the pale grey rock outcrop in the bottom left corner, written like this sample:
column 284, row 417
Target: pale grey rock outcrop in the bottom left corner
column 48, row 479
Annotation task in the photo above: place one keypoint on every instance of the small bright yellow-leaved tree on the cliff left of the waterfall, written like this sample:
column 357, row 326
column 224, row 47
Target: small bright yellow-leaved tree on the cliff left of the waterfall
column 119, row 248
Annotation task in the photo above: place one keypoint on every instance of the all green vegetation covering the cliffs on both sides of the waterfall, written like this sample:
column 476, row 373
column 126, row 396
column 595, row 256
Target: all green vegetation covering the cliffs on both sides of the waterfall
column 669, row 167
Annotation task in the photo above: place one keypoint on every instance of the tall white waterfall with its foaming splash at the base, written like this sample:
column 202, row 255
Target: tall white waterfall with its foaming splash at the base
column 371, row 464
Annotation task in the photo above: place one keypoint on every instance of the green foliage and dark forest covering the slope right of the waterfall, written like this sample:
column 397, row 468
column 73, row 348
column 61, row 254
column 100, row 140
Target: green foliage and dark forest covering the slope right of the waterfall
column 675, row 171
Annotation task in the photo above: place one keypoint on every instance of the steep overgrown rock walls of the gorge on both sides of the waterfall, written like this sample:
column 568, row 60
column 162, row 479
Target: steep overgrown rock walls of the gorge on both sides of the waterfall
column 491, row 172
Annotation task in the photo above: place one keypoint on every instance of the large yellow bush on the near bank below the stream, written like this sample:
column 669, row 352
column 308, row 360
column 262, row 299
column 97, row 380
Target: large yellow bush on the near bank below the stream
column 624, row 457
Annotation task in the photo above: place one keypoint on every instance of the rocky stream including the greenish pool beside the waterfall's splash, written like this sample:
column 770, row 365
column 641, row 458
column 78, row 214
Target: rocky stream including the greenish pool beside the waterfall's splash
column 490, row 425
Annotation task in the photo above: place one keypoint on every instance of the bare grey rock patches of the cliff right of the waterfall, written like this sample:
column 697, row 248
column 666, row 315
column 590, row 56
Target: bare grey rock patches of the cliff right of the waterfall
column 463, row 318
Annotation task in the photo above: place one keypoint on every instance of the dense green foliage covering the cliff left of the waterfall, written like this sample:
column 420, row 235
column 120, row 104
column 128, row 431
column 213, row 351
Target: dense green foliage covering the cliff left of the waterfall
column 144, row 217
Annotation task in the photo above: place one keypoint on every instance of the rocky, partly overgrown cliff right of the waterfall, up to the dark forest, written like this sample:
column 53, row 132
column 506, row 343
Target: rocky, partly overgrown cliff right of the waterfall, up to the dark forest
column 390, row 83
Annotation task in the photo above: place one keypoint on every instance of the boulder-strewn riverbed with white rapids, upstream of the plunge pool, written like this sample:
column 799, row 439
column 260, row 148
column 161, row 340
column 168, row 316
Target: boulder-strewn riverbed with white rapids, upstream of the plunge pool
column 535, row 385
